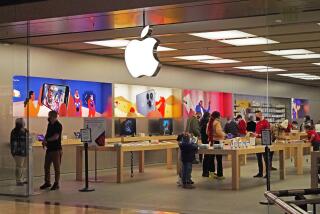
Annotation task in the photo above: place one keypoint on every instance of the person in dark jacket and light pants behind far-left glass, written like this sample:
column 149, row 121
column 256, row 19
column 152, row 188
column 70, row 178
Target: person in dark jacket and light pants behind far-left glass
column 18, row 143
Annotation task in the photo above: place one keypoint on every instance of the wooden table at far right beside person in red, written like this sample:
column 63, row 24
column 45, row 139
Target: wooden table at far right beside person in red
column 298, row 148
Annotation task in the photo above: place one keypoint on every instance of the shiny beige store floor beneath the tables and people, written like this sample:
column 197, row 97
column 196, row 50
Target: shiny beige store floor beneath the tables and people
column 156, row 189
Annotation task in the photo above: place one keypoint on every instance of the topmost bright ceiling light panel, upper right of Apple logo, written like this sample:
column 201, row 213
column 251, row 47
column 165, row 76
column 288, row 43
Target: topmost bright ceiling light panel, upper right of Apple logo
column 227, row 34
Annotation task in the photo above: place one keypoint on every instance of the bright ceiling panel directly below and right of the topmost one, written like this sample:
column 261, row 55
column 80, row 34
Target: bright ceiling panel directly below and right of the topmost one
column 249, row 41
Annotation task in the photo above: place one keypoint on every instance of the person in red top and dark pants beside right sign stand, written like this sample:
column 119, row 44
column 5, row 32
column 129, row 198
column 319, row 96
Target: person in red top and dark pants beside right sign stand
column 262, row 124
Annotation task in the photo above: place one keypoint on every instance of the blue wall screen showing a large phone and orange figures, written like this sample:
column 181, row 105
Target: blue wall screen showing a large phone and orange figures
column 70, row 98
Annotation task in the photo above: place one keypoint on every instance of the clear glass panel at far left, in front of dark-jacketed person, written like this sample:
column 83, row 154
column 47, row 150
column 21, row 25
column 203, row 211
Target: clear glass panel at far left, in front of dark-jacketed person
column 13, row 138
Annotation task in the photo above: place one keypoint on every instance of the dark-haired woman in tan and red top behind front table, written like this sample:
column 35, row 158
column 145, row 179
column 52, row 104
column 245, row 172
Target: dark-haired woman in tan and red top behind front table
column 215, row 135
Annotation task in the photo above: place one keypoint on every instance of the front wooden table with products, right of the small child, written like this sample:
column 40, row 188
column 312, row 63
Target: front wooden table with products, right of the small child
column 237, row 153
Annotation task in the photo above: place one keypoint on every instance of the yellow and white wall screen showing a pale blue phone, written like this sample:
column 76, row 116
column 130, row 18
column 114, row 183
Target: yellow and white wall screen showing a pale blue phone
column 146, row 101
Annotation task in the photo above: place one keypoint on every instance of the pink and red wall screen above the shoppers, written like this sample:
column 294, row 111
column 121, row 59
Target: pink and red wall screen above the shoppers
column 204, row 101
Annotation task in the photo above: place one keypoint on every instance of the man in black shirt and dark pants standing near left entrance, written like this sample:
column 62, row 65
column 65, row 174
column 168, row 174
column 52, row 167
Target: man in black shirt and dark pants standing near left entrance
column 54, row 150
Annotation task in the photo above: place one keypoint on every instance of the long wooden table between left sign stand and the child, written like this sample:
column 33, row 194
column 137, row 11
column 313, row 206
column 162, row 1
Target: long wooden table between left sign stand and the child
column 170, row 147
